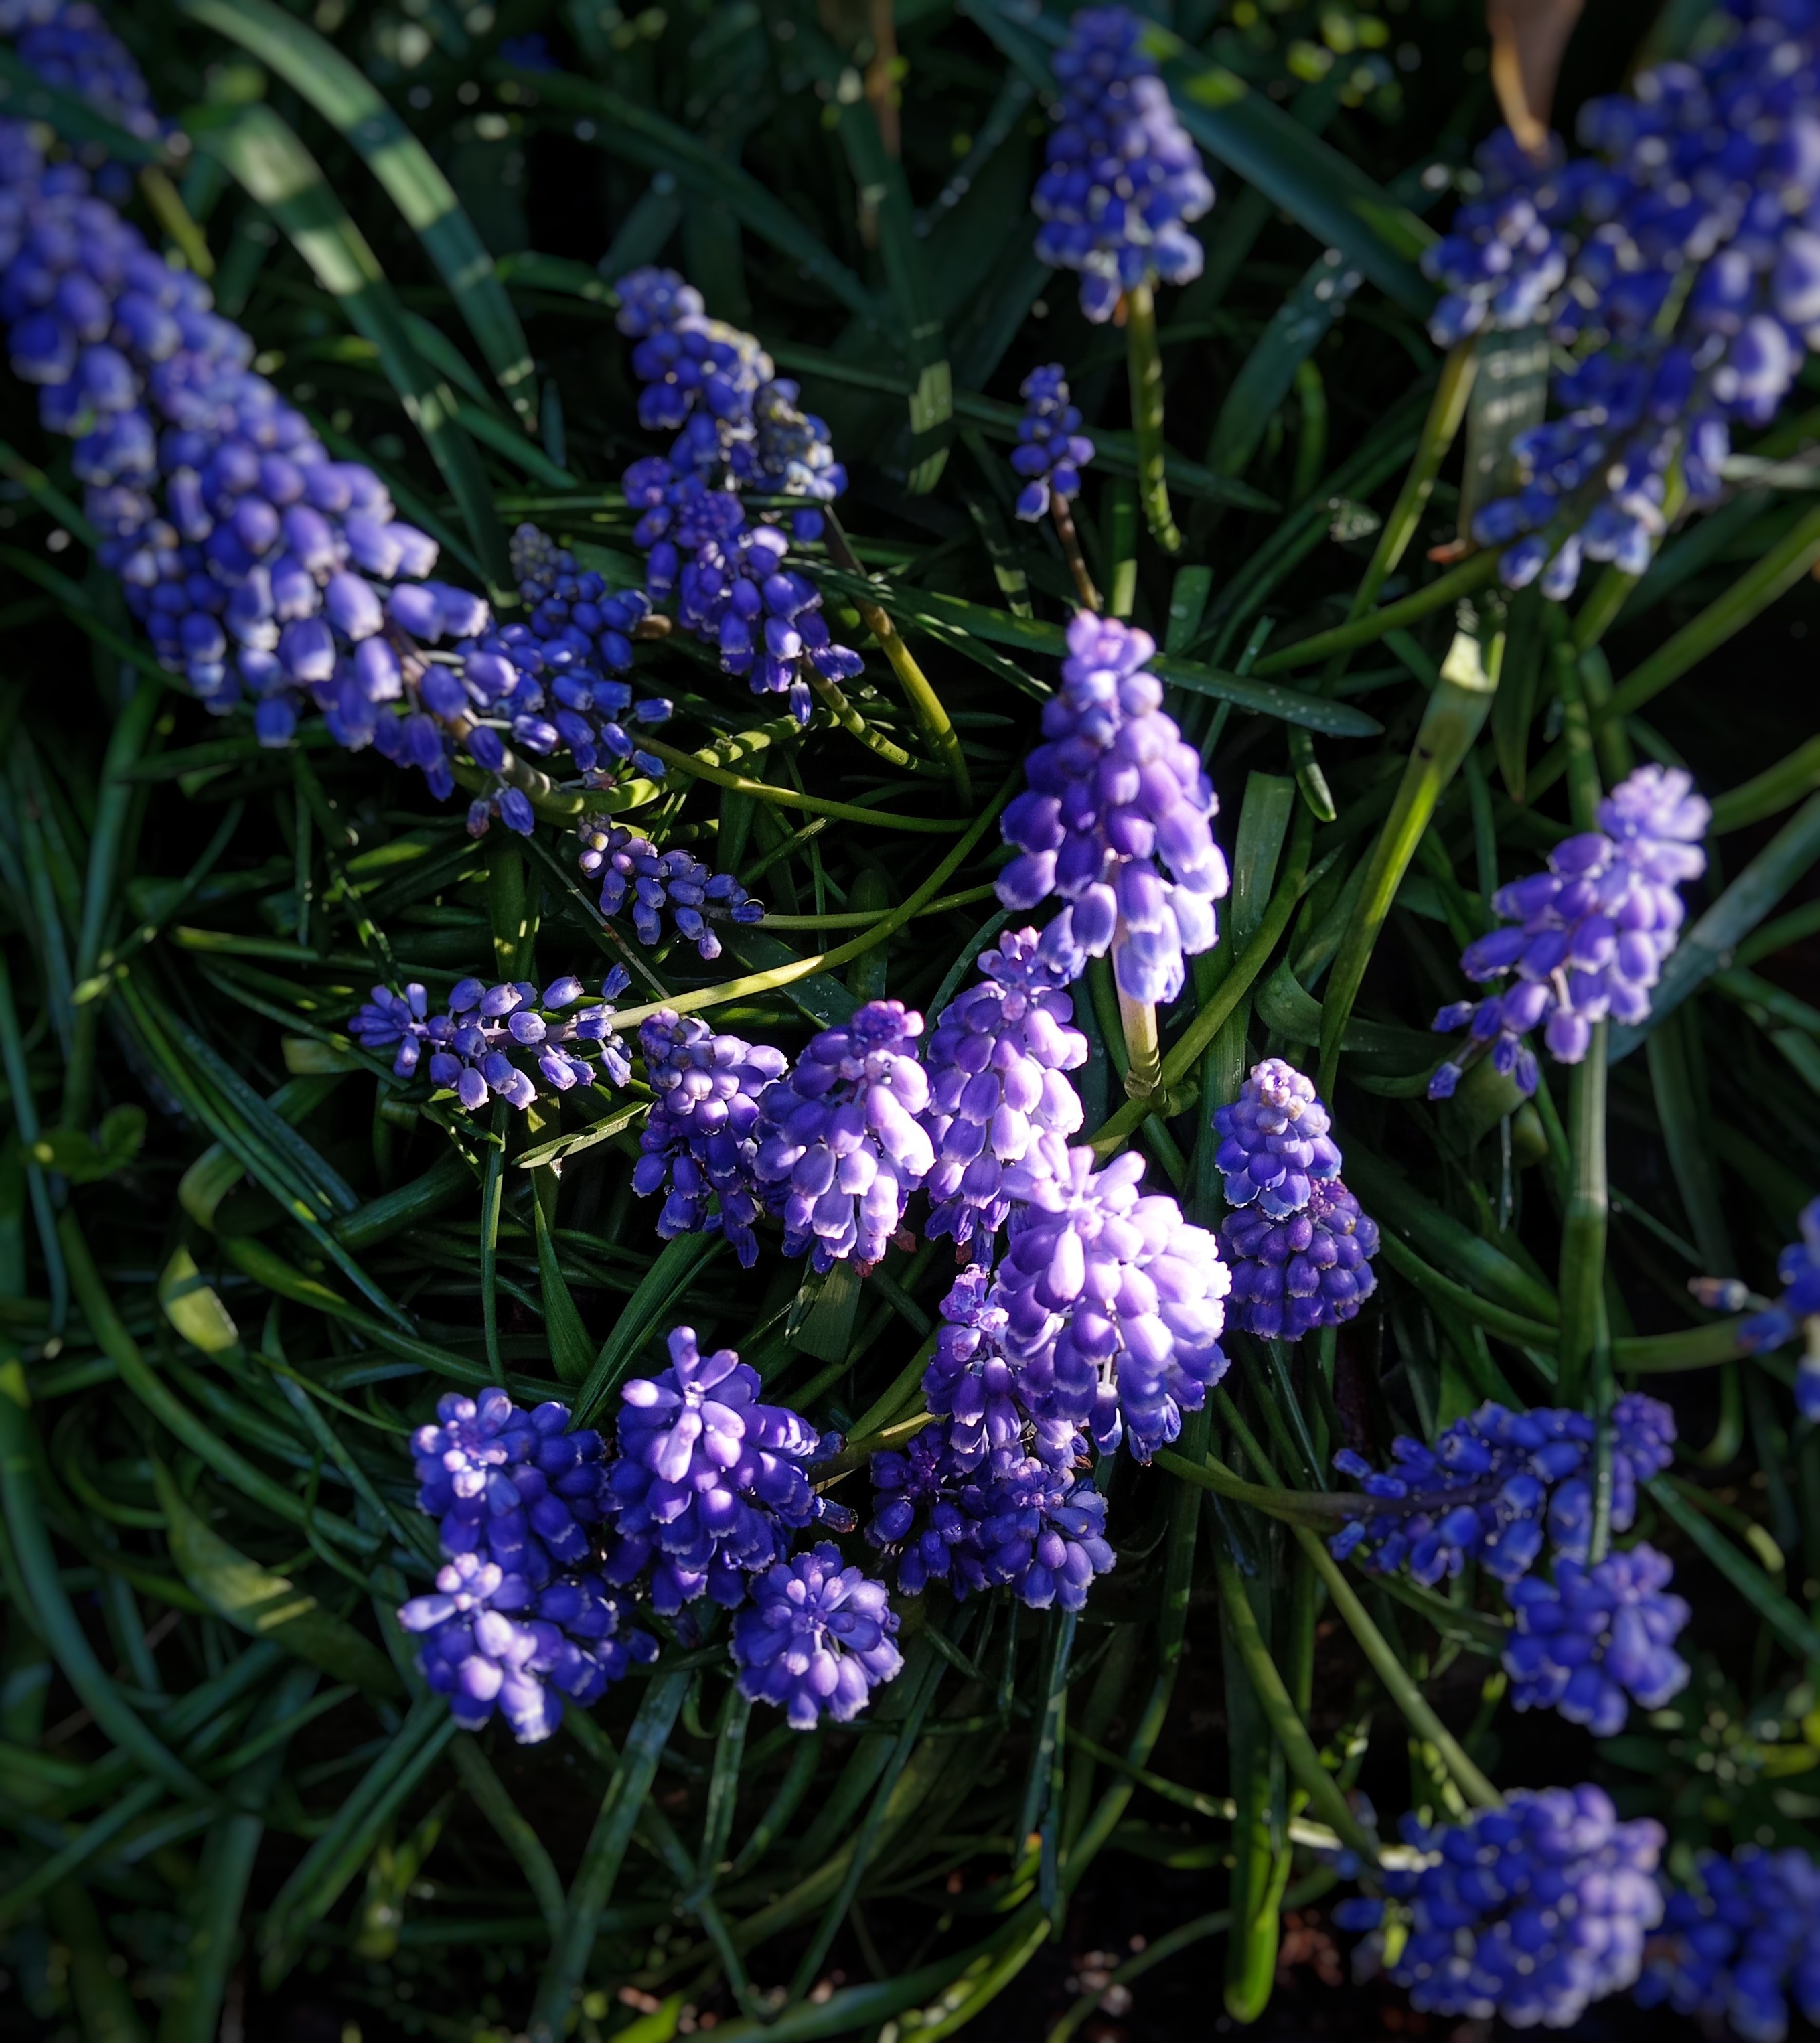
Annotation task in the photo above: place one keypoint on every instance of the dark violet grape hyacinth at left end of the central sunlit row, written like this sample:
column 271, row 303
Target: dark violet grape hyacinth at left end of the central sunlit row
column 700, row 1139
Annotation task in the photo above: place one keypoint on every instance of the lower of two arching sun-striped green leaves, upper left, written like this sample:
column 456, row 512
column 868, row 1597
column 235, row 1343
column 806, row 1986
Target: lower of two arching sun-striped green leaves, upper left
column 281, row 175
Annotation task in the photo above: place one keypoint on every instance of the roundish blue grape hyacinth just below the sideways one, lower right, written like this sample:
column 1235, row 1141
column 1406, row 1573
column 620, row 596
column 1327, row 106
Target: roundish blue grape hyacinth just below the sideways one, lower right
column 1596, row 1640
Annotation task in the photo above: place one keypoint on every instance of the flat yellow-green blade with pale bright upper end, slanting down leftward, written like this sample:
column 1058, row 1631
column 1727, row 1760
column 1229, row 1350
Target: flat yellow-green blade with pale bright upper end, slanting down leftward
column 1451, row 724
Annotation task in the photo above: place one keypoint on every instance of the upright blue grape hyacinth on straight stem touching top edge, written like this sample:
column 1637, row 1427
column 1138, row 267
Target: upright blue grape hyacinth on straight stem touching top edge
column 1122, row 177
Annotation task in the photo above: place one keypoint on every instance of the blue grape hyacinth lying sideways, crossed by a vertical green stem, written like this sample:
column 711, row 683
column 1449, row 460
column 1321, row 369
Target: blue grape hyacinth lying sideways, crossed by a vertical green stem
column 1496, row 1486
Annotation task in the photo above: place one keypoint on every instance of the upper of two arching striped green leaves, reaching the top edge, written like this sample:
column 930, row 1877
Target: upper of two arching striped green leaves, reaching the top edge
column 312, row 66
